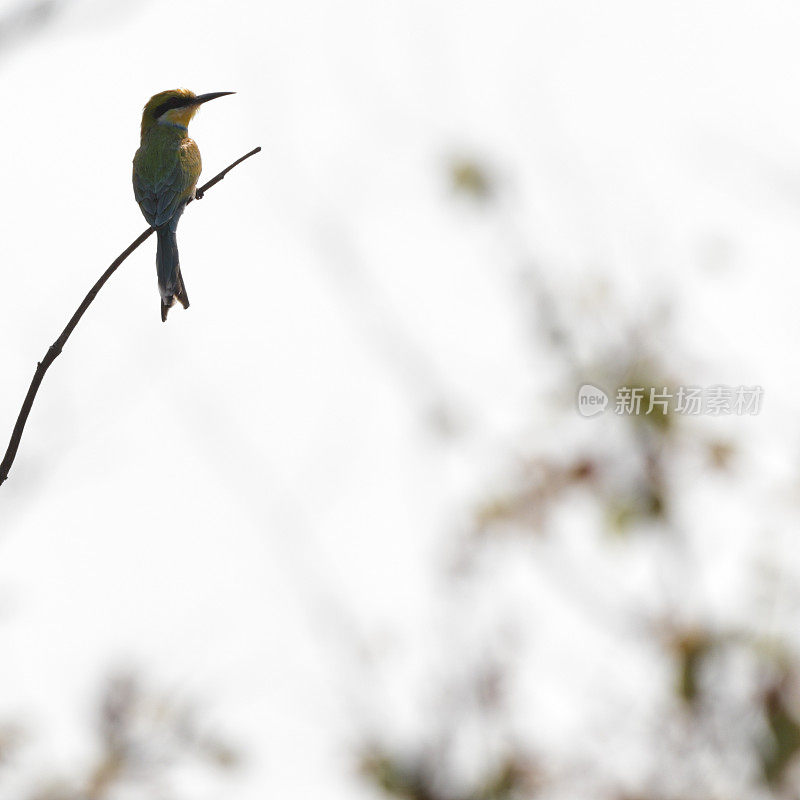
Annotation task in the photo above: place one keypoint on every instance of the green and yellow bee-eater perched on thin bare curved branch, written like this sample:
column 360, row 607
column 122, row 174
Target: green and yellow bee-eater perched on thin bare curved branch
column 165, row 172
